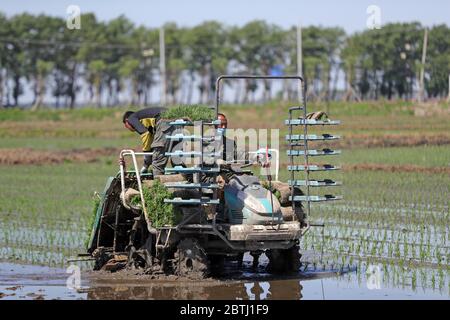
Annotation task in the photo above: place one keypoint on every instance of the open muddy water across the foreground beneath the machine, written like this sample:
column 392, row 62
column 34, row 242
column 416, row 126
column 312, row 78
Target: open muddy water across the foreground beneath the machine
column 34, row 282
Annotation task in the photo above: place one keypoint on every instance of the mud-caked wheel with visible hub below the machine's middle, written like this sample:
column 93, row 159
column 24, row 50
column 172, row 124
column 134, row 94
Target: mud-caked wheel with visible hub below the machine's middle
column 191, row 260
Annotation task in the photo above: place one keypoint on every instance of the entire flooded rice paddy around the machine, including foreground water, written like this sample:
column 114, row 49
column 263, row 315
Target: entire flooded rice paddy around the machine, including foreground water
column 389, row 238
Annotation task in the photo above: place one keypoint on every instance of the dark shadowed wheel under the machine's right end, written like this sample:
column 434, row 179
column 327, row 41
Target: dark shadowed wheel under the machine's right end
column 284, row 260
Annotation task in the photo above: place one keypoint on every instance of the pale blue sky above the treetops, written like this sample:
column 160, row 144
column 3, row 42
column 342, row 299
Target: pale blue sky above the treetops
column 348, row 14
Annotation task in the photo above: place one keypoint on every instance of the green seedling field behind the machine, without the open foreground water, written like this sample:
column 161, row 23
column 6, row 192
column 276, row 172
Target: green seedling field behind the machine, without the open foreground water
column 398, row 217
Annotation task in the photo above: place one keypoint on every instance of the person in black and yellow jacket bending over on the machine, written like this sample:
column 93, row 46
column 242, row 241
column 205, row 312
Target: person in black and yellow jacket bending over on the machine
column 153, row 135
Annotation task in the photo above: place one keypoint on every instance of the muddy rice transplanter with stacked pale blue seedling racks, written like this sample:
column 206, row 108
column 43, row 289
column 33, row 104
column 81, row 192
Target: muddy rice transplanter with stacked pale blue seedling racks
column 225, row 210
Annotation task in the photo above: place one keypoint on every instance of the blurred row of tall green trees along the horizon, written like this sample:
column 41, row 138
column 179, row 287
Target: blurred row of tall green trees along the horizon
column 118, row 62
